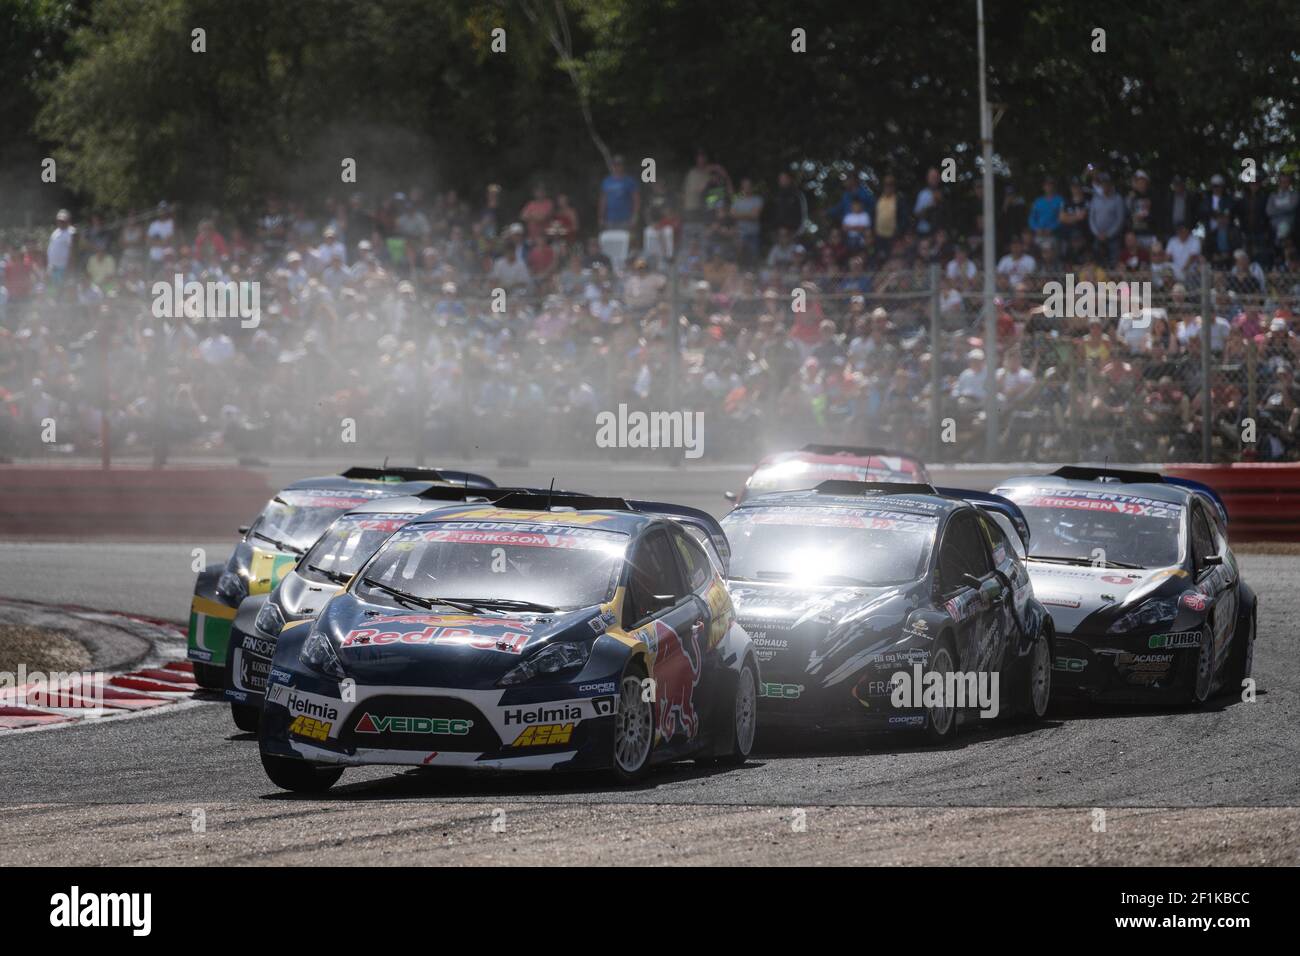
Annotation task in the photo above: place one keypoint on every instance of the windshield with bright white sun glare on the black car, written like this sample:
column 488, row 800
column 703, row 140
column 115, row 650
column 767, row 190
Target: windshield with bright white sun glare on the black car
column 829, row 547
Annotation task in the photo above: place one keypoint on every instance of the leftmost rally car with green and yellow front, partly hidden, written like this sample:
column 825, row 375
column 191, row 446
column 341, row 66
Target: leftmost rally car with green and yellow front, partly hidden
column 270, row 548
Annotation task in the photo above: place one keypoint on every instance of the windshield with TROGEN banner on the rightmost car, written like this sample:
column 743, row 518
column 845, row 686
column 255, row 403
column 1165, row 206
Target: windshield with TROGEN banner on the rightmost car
column 1128, row 530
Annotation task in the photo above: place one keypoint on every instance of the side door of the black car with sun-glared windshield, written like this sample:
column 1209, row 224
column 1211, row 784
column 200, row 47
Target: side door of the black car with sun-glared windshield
column 972, row 594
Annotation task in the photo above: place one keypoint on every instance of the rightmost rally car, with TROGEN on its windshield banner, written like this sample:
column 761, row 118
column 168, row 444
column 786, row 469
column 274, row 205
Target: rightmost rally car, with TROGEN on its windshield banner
column 1147, row 595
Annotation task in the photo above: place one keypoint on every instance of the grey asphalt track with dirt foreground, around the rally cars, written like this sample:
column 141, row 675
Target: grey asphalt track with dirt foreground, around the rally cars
column 1217, row 786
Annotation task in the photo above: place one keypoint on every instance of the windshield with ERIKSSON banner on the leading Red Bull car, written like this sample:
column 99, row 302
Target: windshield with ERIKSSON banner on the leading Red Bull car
column 553, row 566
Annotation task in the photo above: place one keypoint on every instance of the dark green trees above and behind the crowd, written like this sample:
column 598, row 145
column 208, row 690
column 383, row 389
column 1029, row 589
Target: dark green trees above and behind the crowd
column 413, row 92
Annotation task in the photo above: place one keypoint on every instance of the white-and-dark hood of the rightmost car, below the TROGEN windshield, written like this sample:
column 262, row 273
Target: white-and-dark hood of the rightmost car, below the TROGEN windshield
column 1074, row 594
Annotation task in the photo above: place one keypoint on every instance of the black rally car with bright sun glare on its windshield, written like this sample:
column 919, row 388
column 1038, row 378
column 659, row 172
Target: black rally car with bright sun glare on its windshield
column 886, row 605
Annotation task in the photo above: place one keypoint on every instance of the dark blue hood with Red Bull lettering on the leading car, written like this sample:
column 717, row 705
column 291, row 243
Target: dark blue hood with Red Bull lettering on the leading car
column 379, row 644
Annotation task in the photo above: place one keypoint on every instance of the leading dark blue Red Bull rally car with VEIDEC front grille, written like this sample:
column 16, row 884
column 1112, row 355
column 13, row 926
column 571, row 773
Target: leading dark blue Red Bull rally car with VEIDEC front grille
column 534, row 634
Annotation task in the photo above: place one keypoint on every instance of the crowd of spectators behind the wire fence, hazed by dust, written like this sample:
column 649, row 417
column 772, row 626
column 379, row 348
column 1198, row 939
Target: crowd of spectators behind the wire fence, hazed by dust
column 502, row 323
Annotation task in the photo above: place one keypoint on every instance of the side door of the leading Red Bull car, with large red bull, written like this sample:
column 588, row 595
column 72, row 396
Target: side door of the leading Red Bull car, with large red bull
column 664, row 613
